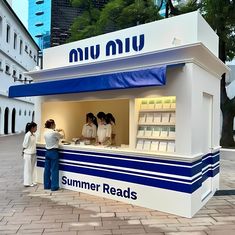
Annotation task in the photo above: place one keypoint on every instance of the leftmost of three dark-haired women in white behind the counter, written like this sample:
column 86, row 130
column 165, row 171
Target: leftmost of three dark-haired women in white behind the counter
column 89, row 129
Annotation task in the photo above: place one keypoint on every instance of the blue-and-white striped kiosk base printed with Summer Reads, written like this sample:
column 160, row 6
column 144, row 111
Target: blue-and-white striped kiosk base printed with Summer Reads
column 166, row 185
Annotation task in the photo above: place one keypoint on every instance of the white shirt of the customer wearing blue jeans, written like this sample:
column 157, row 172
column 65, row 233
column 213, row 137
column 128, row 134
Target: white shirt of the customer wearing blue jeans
column 52, row 138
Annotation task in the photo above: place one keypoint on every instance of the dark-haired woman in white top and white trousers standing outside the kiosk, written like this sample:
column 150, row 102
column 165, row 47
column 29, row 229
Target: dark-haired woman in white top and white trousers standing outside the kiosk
column 29, row 154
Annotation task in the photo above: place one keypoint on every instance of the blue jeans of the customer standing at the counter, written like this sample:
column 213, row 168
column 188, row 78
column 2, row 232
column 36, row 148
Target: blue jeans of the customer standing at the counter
column 51, row 171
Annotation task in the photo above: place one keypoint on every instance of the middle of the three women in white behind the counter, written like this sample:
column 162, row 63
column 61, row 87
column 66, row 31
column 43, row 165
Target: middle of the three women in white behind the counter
column 104, row 130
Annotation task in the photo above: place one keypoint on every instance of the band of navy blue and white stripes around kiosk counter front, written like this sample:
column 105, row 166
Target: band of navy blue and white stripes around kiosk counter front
column 172, row 175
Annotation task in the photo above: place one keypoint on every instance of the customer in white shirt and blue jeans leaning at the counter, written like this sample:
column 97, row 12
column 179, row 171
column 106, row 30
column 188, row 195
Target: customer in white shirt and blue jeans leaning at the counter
column 51, row 170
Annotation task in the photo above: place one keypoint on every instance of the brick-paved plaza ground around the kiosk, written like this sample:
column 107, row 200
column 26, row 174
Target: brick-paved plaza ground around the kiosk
column 35, row 211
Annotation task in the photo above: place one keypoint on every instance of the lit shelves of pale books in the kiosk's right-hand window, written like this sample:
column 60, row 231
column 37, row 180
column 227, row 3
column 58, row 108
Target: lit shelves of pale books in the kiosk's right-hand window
column 156, row 125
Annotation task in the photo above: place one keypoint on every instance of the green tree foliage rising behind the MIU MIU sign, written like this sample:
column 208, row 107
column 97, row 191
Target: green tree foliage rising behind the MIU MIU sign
column 116, row 15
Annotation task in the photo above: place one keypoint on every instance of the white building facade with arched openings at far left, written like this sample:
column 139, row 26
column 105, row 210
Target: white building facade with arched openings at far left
column 18, row 54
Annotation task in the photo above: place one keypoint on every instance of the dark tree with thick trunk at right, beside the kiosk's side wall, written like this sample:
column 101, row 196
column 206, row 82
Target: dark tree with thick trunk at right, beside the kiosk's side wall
column 220, row 15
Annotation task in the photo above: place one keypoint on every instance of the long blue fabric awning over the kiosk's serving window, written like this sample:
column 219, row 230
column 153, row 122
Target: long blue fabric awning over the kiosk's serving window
column 122, row 80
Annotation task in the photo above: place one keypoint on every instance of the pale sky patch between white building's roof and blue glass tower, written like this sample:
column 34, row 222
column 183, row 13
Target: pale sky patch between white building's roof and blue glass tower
column 21, row 9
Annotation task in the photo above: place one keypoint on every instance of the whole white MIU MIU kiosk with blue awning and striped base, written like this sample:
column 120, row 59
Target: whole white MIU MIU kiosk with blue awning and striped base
column 161, row 81
